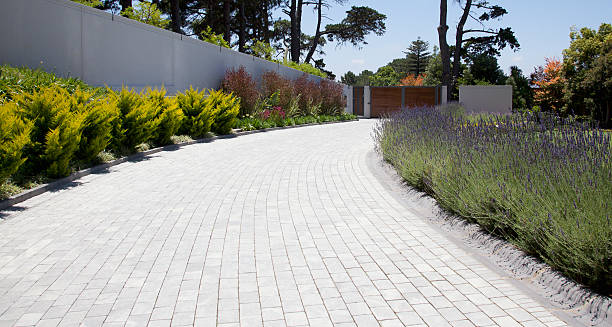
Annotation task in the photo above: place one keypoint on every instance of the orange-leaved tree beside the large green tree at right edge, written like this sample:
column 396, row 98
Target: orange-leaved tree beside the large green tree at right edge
column 549, row 92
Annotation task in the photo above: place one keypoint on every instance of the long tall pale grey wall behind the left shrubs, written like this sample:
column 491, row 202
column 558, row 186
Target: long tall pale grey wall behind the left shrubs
column 70, row 39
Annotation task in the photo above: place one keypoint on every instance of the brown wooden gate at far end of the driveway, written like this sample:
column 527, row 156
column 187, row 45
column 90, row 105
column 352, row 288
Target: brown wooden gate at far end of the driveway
column 388, row 99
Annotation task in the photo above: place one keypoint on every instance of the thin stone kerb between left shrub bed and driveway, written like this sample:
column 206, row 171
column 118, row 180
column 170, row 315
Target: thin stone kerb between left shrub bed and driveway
column 58, row 184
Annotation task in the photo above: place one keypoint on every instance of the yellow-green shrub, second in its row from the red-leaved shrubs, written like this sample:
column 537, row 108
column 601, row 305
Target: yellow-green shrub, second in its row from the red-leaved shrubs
column 197, row 111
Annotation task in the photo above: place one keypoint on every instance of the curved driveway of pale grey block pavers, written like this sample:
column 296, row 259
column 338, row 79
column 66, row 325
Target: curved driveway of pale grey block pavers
column 282, row 228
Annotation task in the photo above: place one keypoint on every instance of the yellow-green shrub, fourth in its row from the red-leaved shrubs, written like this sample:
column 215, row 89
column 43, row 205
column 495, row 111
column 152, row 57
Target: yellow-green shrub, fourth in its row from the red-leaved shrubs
column 137, row 123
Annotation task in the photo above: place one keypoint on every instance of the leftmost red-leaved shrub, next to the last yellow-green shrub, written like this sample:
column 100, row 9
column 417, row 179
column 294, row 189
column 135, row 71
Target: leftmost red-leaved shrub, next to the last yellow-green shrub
column 242, row 85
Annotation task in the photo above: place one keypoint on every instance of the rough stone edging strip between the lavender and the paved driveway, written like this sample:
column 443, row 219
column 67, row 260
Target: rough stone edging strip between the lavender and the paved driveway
column 571, row 299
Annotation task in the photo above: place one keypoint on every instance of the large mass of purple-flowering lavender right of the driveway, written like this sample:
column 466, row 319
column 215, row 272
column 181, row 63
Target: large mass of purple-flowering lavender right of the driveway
column 541, row 182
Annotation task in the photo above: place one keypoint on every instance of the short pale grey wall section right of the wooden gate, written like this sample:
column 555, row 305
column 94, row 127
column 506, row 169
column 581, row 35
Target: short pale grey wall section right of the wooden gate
column 486, row 98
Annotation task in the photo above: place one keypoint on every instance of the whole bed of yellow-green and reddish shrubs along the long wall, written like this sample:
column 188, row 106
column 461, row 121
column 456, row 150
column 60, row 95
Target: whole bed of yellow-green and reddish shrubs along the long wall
column 51, row 127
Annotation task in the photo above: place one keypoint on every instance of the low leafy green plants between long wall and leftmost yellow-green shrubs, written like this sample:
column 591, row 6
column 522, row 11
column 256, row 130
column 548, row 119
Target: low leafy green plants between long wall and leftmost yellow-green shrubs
column 25, row 80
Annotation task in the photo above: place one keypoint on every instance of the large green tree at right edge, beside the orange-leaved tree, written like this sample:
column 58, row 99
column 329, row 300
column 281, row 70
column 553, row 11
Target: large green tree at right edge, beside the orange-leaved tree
column 587, row 71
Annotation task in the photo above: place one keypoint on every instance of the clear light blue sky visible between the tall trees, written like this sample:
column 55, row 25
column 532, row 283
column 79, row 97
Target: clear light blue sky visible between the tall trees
column 541, row 26
